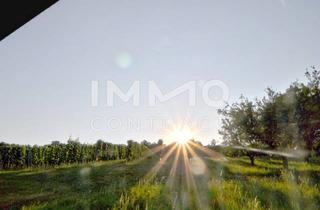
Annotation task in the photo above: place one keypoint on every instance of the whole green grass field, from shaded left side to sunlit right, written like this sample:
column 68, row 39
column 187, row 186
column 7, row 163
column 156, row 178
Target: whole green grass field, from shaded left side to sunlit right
column 175, row 180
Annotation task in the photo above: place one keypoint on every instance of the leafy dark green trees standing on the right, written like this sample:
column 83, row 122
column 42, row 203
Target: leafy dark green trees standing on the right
column 286, row 121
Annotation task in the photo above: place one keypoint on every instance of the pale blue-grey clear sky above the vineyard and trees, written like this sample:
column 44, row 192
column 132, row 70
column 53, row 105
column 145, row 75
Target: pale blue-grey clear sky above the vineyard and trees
column 47, row 66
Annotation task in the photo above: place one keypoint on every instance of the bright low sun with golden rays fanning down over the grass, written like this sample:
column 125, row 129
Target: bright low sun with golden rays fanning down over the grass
column 186, row 168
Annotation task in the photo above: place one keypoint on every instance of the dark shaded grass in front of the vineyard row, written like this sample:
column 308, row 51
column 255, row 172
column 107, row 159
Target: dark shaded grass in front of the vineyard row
column 79, row 182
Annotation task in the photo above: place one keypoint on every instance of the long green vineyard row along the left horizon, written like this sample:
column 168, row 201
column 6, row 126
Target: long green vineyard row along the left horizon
column 56, row 153
